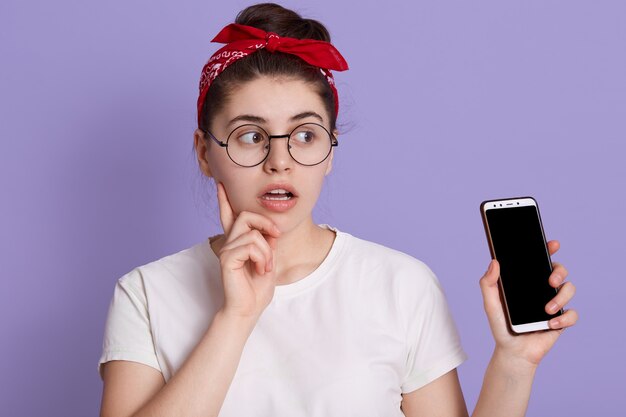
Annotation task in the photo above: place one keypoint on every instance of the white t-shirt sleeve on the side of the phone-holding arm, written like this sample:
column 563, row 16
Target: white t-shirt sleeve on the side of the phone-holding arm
column 434, row 343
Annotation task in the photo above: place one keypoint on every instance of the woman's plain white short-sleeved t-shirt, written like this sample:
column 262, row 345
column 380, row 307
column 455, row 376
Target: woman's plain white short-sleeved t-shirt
column 369, row 324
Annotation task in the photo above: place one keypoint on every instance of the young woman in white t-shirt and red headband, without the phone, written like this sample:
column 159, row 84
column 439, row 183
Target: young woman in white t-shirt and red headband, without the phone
column 279, row 316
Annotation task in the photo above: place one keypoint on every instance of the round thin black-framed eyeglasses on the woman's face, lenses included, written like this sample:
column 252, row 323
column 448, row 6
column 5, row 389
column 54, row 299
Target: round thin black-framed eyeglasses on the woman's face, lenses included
column 249, row 145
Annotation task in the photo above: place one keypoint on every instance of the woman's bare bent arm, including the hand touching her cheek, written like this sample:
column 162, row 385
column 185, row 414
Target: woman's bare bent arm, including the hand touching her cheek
column 199, row 387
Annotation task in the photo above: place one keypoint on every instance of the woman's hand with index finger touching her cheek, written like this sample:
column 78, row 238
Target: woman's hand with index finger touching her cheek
column 246, row 260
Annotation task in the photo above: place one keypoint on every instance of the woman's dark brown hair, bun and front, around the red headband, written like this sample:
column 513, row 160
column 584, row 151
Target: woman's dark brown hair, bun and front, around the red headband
column 270, row 17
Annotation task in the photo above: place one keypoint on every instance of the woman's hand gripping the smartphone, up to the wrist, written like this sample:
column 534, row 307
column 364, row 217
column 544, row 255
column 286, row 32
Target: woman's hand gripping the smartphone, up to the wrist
column 530, row 347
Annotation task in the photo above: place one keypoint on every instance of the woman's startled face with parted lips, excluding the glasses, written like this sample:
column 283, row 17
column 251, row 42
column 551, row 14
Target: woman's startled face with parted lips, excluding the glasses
column 277, row 105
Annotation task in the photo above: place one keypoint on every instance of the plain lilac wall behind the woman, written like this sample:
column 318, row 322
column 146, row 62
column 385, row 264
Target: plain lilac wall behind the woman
column 446, row 104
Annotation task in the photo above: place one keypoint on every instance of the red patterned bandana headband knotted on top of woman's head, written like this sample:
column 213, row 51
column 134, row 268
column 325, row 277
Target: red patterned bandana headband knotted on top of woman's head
column 243, row 40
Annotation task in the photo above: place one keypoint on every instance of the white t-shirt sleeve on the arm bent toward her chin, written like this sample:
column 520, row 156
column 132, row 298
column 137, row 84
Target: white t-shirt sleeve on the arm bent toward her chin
column 127, row 334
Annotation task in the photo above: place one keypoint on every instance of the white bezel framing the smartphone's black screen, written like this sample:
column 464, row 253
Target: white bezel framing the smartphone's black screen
column 512, row 203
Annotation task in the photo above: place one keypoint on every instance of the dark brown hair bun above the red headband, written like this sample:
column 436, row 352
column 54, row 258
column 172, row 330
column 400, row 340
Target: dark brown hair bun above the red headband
column 272, row 17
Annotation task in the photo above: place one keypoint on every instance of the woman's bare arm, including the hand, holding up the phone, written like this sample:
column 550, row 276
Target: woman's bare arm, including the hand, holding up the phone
column 509, row 376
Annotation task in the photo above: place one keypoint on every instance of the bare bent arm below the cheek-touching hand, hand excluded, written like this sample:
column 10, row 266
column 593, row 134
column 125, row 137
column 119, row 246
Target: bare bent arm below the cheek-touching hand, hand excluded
column 197, row 389
